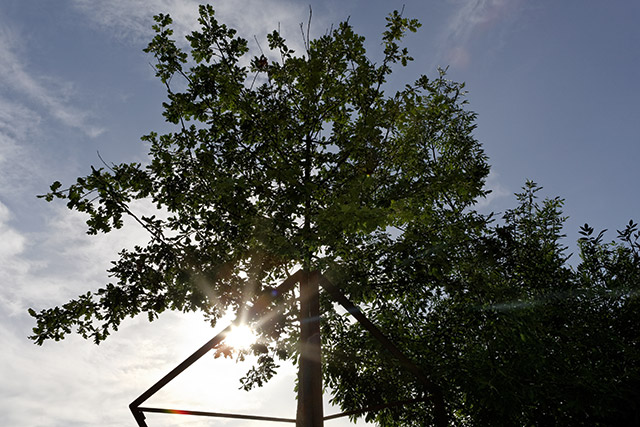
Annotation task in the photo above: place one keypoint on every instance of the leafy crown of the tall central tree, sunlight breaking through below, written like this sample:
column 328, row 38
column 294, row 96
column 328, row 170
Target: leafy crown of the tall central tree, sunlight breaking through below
column 277, row 163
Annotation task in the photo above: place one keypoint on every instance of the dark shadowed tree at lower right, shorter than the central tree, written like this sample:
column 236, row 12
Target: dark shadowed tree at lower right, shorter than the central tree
column 496, row 313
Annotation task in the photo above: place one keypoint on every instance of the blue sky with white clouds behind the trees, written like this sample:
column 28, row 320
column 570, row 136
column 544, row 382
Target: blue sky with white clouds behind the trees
column 554, row 83
